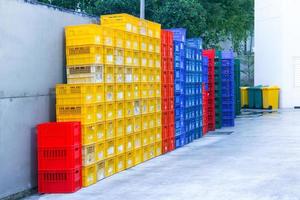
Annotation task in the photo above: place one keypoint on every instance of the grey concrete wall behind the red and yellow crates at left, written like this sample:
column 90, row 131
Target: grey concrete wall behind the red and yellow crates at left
column 31, row 63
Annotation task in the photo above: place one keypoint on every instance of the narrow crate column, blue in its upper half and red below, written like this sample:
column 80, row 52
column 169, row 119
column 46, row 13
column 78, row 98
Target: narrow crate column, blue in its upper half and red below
column 205, row 94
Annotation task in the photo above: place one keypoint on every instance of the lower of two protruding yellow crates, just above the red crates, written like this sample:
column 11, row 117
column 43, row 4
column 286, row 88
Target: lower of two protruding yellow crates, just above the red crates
column 83, row 113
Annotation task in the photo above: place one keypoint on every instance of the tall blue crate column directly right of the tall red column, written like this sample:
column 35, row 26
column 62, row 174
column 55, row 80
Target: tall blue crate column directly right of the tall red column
column 179, row 37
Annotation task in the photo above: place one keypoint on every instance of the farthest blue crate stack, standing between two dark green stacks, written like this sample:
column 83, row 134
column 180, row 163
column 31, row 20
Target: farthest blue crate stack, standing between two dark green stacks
column 227, row 78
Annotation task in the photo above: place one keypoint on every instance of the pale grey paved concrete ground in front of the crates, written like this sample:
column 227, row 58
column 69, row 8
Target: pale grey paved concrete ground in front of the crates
column 259, row 161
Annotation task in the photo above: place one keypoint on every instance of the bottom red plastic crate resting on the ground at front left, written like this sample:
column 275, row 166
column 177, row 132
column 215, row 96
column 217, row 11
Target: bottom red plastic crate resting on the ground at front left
column 59, row 181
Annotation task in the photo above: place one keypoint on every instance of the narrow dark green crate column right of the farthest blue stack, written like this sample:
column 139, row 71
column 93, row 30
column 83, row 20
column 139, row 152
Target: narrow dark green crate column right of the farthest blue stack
column 237, row 84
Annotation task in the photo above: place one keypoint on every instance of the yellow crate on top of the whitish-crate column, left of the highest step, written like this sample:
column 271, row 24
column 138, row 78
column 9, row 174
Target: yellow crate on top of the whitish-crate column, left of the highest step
column 83, row 34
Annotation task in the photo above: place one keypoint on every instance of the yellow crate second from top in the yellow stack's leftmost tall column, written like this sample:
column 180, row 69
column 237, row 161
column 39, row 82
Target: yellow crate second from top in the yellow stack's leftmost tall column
column 84, row 55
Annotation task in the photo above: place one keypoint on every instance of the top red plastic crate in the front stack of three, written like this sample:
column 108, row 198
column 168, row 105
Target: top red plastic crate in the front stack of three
column 58, row 134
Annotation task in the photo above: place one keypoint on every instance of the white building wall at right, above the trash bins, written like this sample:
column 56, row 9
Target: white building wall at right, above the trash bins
column 277, row 47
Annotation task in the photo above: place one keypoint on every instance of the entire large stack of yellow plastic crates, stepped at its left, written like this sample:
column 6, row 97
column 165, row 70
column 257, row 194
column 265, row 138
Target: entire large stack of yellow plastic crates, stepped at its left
column 114, row 90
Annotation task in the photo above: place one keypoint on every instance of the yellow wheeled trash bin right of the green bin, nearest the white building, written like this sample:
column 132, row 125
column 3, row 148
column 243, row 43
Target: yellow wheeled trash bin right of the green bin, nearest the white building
column 271, row 97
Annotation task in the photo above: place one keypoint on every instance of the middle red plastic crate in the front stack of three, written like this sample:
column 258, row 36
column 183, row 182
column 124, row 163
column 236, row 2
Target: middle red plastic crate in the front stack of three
column 53, row 158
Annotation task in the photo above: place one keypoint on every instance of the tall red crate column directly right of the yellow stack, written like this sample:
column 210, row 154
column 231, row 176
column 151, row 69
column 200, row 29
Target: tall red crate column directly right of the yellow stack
column 167, row 68
